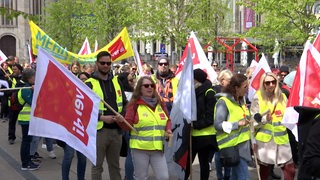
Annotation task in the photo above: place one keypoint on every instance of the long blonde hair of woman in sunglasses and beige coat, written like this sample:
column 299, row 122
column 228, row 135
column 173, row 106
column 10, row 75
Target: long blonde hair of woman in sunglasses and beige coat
column 278, row 97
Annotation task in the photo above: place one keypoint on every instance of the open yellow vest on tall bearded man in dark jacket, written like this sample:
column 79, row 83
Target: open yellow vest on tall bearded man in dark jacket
column 97, row 89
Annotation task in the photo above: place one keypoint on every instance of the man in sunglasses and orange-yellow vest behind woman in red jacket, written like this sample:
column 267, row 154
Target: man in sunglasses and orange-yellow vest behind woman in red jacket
column 167, row 83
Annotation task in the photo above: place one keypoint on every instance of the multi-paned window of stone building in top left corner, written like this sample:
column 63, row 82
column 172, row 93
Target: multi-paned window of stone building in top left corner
column 11, row 5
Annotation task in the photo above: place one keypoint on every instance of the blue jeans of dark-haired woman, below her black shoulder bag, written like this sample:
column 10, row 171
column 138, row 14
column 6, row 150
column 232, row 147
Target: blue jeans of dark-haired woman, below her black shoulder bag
column 240, row 172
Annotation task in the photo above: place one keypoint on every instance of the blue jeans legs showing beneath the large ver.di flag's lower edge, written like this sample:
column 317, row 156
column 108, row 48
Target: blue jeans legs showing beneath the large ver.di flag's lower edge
column 67, row 160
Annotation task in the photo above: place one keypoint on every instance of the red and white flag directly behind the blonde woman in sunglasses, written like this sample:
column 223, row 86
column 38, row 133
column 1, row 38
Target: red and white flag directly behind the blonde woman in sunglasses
column 261, row 68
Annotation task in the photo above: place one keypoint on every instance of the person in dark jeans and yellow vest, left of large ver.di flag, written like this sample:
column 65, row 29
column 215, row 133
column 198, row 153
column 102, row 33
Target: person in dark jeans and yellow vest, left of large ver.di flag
column 25, row 99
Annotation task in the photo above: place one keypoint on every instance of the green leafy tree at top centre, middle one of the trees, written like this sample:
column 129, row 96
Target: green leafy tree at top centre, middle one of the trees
column 173, row 20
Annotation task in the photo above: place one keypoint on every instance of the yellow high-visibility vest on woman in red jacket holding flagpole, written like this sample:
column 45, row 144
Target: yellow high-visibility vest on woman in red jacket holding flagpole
column 150, row 128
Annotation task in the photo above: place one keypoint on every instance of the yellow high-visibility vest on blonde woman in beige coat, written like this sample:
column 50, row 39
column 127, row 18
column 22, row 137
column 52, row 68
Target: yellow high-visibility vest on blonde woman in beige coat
column 273, row 129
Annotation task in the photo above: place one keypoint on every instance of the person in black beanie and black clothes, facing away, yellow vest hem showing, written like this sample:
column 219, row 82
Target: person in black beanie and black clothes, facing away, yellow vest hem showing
column 202, row 132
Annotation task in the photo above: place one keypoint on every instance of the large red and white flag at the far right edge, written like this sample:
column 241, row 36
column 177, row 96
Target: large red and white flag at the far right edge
column 305, row 90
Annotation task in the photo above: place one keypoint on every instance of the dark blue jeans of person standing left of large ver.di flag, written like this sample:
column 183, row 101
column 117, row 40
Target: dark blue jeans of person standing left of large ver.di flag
column 25, row 146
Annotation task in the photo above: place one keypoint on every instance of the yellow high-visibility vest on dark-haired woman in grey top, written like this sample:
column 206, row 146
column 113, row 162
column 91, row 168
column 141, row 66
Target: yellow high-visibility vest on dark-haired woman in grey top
column 237, row 136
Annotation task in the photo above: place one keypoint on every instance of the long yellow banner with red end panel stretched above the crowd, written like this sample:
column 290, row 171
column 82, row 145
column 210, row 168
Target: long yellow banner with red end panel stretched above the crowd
column 119, row 48
